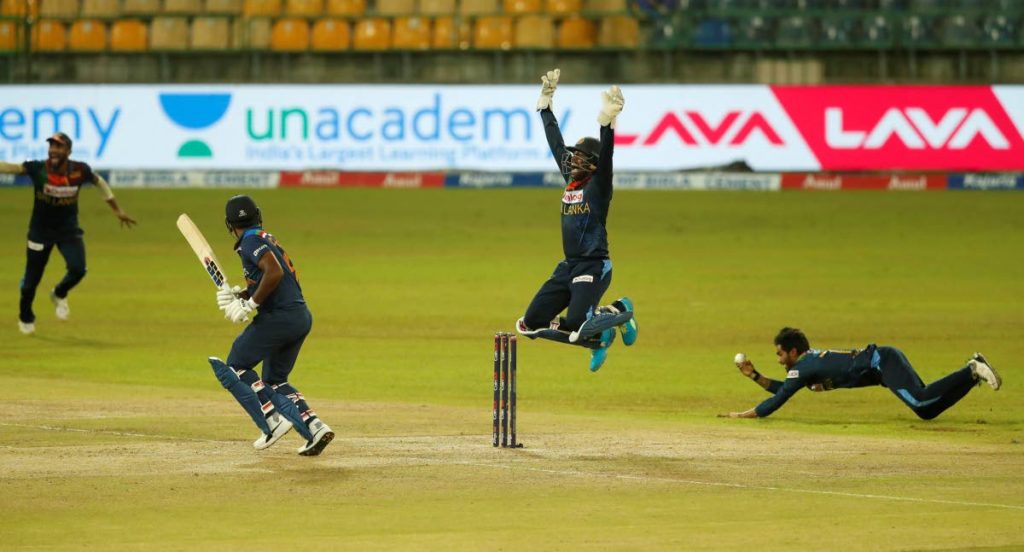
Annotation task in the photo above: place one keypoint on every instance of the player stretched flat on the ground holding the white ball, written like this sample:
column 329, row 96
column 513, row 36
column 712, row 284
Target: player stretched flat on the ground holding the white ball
column 828, row 370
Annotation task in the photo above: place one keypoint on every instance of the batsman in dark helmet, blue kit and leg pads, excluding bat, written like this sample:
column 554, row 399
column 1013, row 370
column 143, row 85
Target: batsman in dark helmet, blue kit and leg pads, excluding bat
column 274, row 338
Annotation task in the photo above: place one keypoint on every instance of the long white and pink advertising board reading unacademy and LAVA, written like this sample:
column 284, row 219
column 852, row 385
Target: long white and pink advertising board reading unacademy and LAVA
column 496, row 129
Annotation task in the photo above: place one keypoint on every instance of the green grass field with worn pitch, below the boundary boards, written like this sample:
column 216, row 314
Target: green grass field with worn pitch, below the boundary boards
column 115, row 435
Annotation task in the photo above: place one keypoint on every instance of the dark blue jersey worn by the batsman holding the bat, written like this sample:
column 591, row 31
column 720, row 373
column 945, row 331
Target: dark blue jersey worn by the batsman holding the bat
column 251, row 247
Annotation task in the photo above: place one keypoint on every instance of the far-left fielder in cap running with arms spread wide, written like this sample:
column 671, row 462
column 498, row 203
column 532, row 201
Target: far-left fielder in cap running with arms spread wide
column 55, row 223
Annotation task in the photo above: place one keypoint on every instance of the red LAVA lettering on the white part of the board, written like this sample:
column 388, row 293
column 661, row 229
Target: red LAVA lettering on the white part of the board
column 734, row 131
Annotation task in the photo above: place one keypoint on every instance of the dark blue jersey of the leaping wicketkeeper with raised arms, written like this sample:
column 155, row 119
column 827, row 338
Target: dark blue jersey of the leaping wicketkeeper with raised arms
column 585, row 205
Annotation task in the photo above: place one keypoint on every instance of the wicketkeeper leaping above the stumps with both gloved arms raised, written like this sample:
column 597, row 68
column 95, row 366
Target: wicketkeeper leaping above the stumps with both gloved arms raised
column 581, row 279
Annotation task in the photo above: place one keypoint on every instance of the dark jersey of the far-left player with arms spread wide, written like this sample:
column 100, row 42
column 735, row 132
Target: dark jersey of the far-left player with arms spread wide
column 55, row 215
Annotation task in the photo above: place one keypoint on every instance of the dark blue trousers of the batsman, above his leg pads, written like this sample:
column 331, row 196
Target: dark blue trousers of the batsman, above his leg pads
column 274, row 338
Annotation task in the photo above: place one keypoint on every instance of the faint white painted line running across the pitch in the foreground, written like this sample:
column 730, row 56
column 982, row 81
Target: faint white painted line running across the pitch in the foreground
column 578, row 474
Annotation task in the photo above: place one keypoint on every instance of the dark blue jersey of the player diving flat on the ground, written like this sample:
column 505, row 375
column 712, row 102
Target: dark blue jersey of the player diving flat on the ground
column 831, row 369
